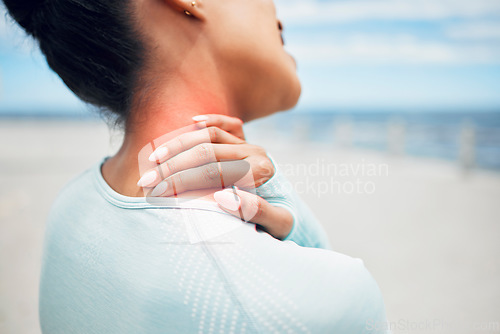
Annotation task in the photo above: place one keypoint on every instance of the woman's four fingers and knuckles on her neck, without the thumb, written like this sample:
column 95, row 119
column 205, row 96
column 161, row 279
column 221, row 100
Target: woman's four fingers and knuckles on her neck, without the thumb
column 214, row 156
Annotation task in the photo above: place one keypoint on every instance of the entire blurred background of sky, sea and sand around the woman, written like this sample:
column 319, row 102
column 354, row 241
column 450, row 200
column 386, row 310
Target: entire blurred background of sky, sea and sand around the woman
column 395, row 144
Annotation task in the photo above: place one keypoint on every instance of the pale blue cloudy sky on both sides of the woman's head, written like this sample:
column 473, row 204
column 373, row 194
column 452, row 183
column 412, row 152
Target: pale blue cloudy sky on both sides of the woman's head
column 398, row 55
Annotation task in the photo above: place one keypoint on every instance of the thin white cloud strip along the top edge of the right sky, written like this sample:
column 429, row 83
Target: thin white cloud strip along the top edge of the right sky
column 321, row 12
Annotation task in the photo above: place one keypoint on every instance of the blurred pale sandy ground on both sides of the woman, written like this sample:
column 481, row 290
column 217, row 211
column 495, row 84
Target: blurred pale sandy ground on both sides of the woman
column 427, row 231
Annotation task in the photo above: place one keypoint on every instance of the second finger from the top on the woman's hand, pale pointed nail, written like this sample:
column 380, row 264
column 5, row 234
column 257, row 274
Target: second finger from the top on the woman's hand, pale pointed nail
column 188, row 140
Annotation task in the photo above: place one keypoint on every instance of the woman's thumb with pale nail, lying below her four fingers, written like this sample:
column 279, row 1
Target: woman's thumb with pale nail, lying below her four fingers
column 276, row 221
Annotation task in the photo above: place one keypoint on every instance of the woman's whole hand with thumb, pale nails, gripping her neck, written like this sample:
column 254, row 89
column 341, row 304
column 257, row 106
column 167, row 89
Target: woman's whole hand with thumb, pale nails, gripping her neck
column 217, row 156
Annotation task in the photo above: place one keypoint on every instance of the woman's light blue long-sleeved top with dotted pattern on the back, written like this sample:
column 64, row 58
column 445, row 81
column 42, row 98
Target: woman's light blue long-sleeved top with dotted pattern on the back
column 117, row 264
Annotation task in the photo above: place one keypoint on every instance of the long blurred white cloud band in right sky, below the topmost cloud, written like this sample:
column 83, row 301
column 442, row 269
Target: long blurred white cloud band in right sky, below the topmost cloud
column 371, row 49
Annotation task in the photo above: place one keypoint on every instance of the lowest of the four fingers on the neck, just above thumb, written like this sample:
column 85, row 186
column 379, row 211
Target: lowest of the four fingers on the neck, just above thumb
column 213, row 175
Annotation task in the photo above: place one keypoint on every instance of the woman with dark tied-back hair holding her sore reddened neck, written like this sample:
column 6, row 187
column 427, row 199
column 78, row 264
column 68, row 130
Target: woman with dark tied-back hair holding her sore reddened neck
column 175, row 261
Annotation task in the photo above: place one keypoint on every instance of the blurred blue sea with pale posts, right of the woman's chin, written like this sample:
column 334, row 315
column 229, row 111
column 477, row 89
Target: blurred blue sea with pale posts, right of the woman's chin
column 442, row 135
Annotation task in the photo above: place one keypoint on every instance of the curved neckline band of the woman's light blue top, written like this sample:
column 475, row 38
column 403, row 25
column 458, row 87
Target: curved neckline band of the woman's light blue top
column 127, row 202
